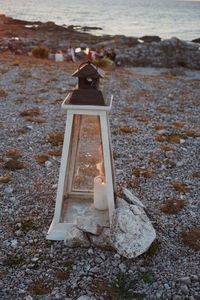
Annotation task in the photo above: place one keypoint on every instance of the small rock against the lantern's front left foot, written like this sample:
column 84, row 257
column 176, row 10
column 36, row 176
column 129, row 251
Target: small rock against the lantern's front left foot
column 76, row 238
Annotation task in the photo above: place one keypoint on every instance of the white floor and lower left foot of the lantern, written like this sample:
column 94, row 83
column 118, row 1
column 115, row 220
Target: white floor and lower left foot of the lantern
column 71, row 209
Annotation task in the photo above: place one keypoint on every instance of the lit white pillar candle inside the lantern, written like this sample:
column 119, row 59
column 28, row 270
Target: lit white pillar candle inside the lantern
column 100, row 199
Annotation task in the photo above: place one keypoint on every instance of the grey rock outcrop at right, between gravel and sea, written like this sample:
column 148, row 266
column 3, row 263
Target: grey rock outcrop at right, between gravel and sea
column 167, row 53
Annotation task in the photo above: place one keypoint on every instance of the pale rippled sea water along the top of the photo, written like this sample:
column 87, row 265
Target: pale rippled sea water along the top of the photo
column 166, row 18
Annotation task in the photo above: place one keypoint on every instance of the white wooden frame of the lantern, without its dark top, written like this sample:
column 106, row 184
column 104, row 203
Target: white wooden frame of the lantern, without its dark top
column 58, row 228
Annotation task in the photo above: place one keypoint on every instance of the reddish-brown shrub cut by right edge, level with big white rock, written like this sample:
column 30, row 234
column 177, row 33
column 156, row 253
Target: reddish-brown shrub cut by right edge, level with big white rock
column 192, row 238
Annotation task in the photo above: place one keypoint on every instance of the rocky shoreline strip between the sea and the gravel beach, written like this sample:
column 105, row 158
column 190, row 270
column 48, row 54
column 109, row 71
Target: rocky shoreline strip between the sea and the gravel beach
column 20, row 37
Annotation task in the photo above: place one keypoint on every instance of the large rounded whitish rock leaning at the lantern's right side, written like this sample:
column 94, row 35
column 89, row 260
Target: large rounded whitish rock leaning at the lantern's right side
column 131, row 231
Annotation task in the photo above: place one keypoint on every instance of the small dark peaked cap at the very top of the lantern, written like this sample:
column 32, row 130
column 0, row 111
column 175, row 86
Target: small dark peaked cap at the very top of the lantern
column 88, row 69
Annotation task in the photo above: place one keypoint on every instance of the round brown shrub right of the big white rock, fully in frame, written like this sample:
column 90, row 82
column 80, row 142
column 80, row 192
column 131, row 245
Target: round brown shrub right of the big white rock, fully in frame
column 172, row 206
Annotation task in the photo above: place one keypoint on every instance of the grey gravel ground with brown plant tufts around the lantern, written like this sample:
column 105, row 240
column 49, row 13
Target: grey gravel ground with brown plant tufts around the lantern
column 156, row 138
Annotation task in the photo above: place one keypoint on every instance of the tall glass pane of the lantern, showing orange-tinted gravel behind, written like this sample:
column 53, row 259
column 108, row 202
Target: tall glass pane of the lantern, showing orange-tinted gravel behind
column 87, row 151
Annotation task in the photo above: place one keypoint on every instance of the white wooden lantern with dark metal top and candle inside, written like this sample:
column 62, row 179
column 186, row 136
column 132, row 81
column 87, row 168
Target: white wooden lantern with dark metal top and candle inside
column 86, row 179
